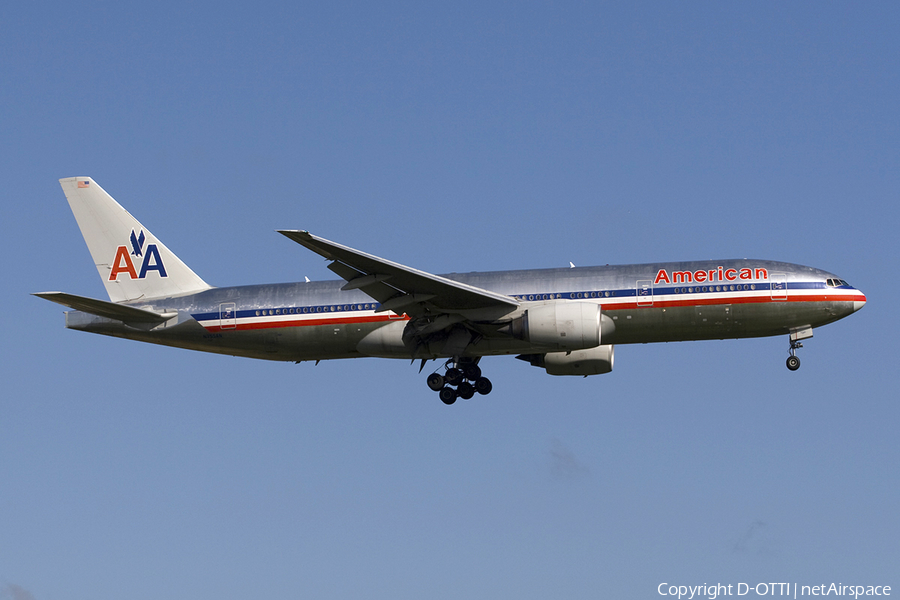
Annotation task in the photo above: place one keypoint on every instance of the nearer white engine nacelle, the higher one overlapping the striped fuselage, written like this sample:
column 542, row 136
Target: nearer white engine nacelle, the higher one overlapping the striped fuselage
column 561, row 325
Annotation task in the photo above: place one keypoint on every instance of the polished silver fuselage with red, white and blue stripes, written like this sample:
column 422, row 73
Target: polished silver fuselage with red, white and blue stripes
column 659, row 302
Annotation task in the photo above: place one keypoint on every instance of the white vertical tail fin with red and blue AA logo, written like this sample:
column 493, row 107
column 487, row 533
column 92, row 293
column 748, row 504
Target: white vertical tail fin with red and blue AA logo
column 133, row 264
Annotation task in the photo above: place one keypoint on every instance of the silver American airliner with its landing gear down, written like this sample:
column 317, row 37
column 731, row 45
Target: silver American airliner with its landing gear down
column 564, row 320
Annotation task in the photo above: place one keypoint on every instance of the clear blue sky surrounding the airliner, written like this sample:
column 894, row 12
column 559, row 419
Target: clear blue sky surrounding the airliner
column 449, row 137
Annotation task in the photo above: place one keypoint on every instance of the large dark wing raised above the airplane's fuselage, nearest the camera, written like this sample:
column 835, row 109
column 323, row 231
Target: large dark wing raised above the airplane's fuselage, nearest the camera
column 400, row 288
